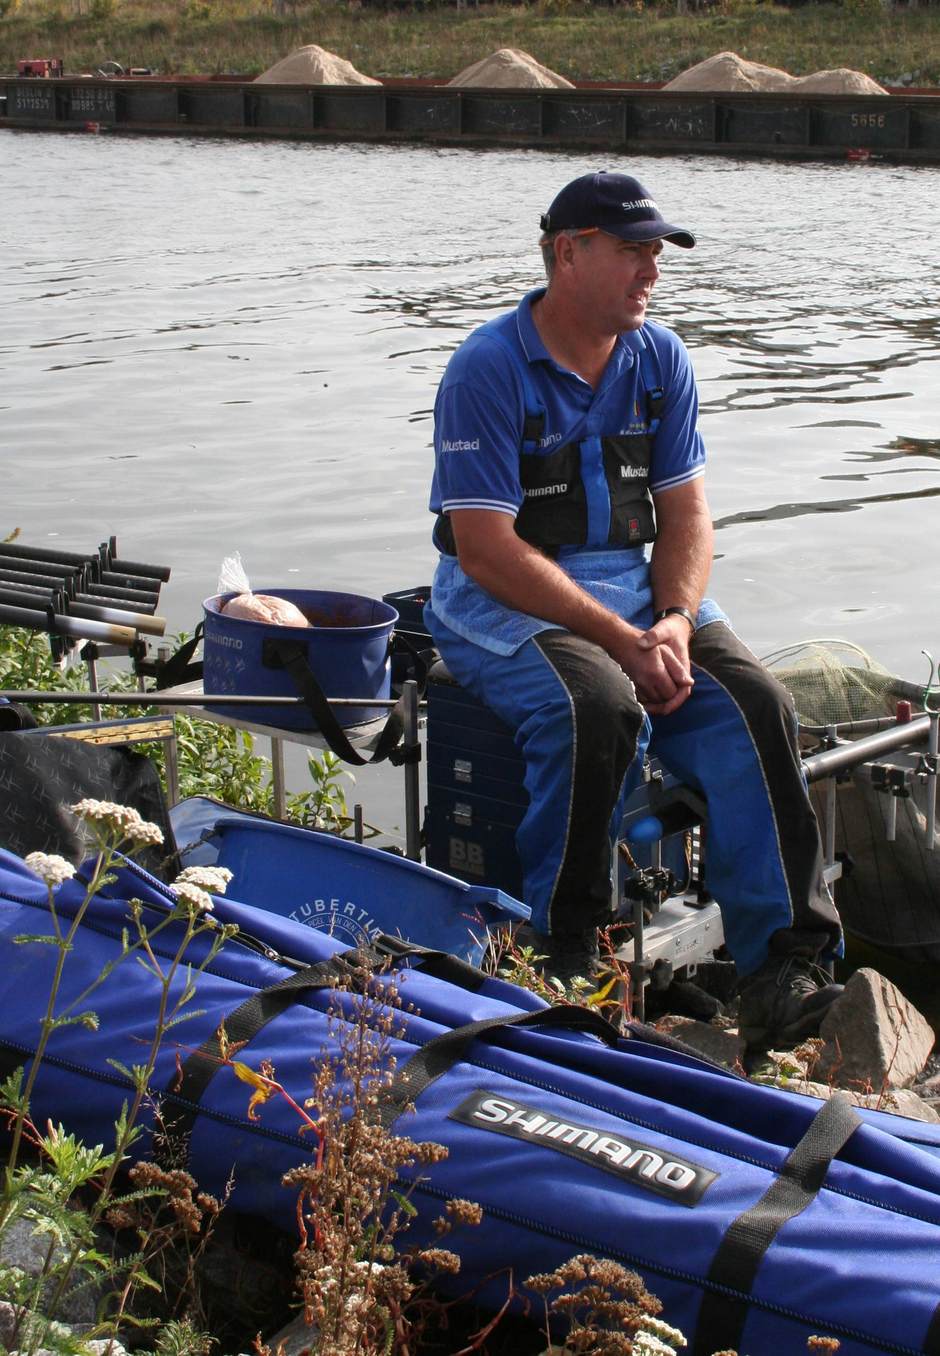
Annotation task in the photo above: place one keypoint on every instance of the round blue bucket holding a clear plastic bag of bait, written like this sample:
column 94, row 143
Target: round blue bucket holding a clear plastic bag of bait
column 348, row 646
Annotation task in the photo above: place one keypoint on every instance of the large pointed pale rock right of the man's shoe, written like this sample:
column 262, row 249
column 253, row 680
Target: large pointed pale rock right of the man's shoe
column 874, row 1037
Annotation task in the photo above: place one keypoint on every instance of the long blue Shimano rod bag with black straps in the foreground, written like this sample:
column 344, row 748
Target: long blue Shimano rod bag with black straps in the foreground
column 759, row 1217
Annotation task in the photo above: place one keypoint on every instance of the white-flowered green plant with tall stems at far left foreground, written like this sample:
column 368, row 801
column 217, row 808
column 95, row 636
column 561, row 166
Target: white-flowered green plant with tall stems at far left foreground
column 62, row 1189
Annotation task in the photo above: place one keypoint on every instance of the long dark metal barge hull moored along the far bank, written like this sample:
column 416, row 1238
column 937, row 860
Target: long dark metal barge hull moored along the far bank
column 901, row 127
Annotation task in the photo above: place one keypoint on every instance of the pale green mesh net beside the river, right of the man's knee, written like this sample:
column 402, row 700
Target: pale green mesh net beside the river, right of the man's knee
column 835, row 683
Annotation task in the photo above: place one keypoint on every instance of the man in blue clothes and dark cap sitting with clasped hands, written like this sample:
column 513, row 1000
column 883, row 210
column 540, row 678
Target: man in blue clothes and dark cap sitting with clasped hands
column 576, row 547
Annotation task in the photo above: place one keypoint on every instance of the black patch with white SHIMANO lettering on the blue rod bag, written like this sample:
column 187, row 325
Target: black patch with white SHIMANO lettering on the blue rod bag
column 653, row 1170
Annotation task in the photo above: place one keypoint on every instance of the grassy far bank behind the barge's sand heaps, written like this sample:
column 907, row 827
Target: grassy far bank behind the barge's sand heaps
column 583, row 41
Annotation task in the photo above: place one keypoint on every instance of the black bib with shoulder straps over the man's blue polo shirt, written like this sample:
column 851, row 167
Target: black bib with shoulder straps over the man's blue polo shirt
column 560, row 498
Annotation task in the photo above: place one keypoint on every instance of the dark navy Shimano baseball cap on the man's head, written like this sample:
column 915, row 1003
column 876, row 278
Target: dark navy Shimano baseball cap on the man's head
column 616, row 204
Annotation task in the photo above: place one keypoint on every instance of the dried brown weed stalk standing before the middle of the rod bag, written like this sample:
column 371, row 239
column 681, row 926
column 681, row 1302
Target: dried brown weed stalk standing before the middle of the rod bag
column 363, row 1294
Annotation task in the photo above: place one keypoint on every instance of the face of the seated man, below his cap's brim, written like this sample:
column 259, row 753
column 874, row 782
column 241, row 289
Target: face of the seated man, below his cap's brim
column 615, row 280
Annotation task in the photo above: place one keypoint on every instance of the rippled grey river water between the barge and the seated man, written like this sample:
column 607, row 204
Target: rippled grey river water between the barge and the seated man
column 214, row 346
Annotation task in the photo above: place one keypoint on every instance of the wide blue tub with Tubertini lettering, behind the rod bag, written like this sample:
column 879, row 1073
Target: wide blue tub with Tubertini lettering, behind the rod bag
column 340, row 888
